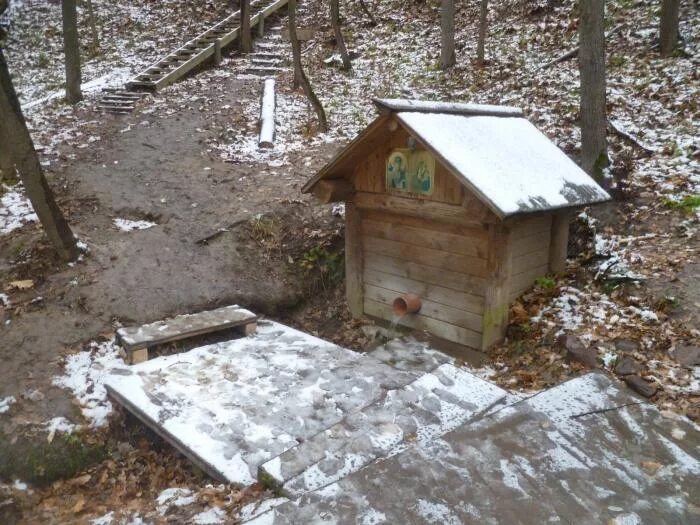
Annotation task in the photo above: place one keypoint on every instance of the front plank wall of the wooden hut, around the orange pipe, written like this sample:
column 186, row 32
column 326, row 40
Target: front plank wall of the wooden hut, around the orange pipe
column 445, row 264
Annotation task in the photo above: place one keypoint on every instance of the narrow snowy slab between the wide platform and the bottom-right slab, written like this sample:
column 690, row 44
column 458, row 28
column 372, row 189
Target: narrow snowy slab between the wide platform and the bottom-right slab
column 417, row 414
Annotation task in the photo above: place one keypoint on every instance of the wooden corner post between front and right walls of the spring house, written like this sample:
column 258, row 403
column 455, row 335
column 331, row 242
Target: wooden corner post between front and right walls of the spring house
column 498, row 284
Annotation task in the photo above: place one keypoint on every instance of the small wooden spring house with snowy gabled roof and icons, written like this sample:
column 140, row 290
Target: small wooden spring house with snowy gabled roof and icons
column 464, row 205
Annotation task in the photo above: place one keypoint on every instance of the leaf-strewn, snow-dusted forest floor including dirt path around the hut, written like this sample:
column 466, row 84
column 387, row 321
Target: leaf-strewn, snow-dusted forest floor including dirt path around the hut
column 143, row 190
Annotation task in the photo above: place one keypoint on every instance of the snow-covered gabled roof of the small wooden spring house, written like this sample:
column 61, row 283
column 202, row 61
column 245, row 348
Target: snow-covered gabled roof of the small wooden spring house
column 494, row 151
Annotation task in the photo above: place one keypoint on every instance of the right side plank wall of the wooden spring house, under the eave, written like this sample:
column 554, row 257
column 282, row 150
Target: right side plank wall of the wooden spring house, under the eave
column 531, row 243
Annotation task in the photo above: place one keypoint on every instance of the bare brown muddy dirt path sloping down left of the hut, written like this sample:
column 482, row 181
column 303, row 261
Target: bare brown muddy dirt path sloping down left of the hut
column 159, row 170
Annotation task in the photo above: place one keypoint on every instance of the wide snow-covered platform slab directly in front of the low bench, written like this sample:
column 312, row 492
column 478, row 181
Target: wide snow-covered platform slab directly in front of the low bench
column 232, row 406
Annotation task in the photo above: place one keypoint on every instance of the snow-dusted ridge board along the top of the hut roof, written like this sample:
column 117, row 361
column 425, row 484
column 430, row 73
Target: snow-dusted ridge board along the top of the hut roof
column 389, row 105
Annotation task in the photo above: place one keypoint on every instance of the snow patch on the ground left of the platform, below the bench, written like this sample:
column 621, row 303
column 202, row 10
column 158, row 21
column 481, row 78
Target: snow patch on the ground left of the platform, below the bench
column 85, row 373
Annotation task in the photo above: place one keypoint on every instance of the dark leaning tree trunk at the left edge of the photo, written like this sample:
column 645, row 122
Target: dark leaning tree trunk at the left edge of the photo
column 14, row 133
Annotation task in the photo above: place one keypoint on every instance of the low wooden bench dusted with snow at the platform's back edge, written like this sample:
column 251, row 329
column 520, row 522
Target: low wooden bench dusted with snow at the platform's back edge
column 137, row 339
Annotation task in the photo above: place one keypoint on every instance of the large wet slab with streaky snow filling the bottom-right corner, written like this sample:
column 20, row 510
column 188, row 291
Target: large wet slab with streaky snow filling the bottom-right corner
column 586, row 451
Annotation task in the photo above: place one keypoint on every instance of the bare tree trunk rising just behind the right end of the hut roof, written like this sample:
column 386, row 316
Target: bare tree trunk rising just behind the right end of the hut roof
column 592, row 69
